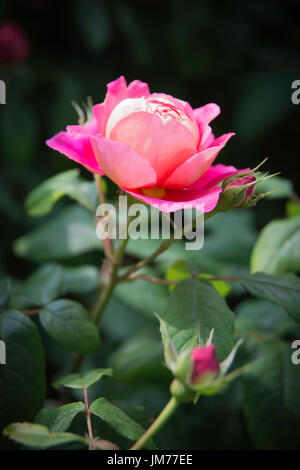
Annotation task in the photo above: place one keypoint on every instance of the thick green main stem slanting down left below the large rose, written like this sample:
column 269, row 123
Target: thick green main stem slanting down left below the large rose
column 108, row 289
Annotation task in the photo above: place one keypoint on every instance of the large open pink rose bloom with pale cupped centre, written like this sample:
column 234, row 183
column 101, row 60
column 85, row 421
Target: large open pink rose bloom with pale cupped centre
column 152, row 145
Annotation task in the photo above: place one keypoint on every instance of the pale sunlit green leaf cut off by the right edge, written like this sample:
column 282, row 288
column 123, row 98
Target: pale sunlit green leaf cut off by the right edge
column 277, row 249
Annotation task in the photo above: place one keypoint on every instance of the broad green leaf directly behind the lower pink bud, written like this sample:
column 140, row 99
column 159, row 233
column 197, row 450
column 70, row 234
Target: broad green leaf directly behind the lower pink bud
column 196, row 307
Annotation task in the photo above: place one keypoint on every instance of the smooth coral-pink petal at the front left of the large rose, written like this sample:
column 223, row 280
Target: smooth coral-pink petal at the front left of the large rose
column 123, row 165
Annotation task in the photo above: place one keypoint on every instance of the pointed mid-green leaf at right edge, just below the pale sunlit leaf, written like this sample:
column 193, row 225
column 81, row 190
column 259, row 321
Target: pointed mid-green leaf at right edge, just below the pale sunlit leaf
column 284, row 290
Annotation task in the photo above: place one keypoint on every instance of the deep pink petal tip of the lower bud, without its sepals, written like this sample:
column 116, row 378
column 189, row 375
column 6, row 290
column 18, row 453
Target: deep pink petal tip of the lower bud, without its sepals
column 204, row 362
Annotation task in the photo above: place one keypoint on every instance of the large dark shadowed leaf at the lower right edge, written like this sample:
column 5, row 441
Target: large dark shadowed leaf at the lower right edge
column 271, row 399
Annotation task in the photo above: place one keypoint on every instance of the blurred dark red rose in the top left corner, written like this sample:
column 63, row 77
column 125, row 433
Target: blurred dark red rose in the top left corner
column 14, row 45
